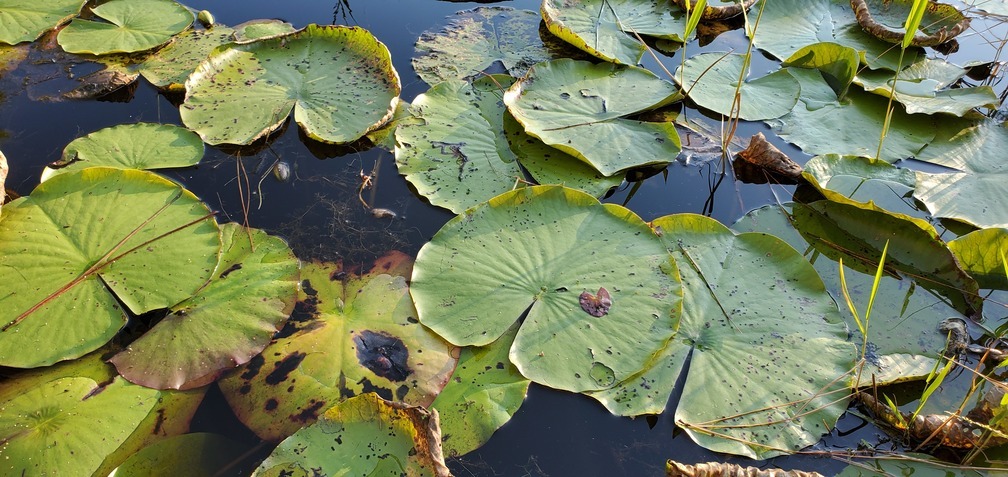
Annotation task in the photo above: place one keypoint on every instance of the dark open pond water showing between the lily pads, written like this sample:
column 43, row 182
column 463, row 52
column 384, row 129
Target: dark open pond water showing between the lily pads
column 554, row 434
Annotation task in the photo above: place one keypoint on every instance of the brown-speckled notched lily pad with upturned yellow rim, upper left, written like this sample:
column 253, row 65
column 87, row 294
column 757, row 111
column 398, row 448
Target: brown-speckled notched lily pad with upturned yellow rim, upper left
column 339, row 82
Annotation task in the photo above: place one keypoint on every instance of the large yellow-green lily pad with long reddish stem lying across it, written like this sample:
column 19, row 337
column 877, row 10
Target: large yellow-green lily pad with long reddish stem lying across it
column 75, row 249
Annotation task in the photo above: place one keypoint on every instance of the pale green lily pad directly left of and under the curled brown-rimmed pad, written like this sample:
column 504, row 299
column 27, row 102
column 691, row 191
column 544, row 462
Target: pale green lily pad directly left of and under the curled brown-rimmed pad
column 790, row 26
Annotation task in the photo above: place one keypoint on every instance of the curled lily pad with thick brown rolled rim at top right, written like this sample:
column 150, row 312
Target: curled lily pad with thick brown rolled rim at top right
column 886, row 21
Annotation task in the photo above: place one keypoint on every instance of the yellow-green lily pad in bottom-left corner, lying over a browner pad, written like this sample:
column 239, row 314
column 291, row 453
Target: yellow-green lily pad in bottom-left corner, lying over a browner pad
column 71, row 412
